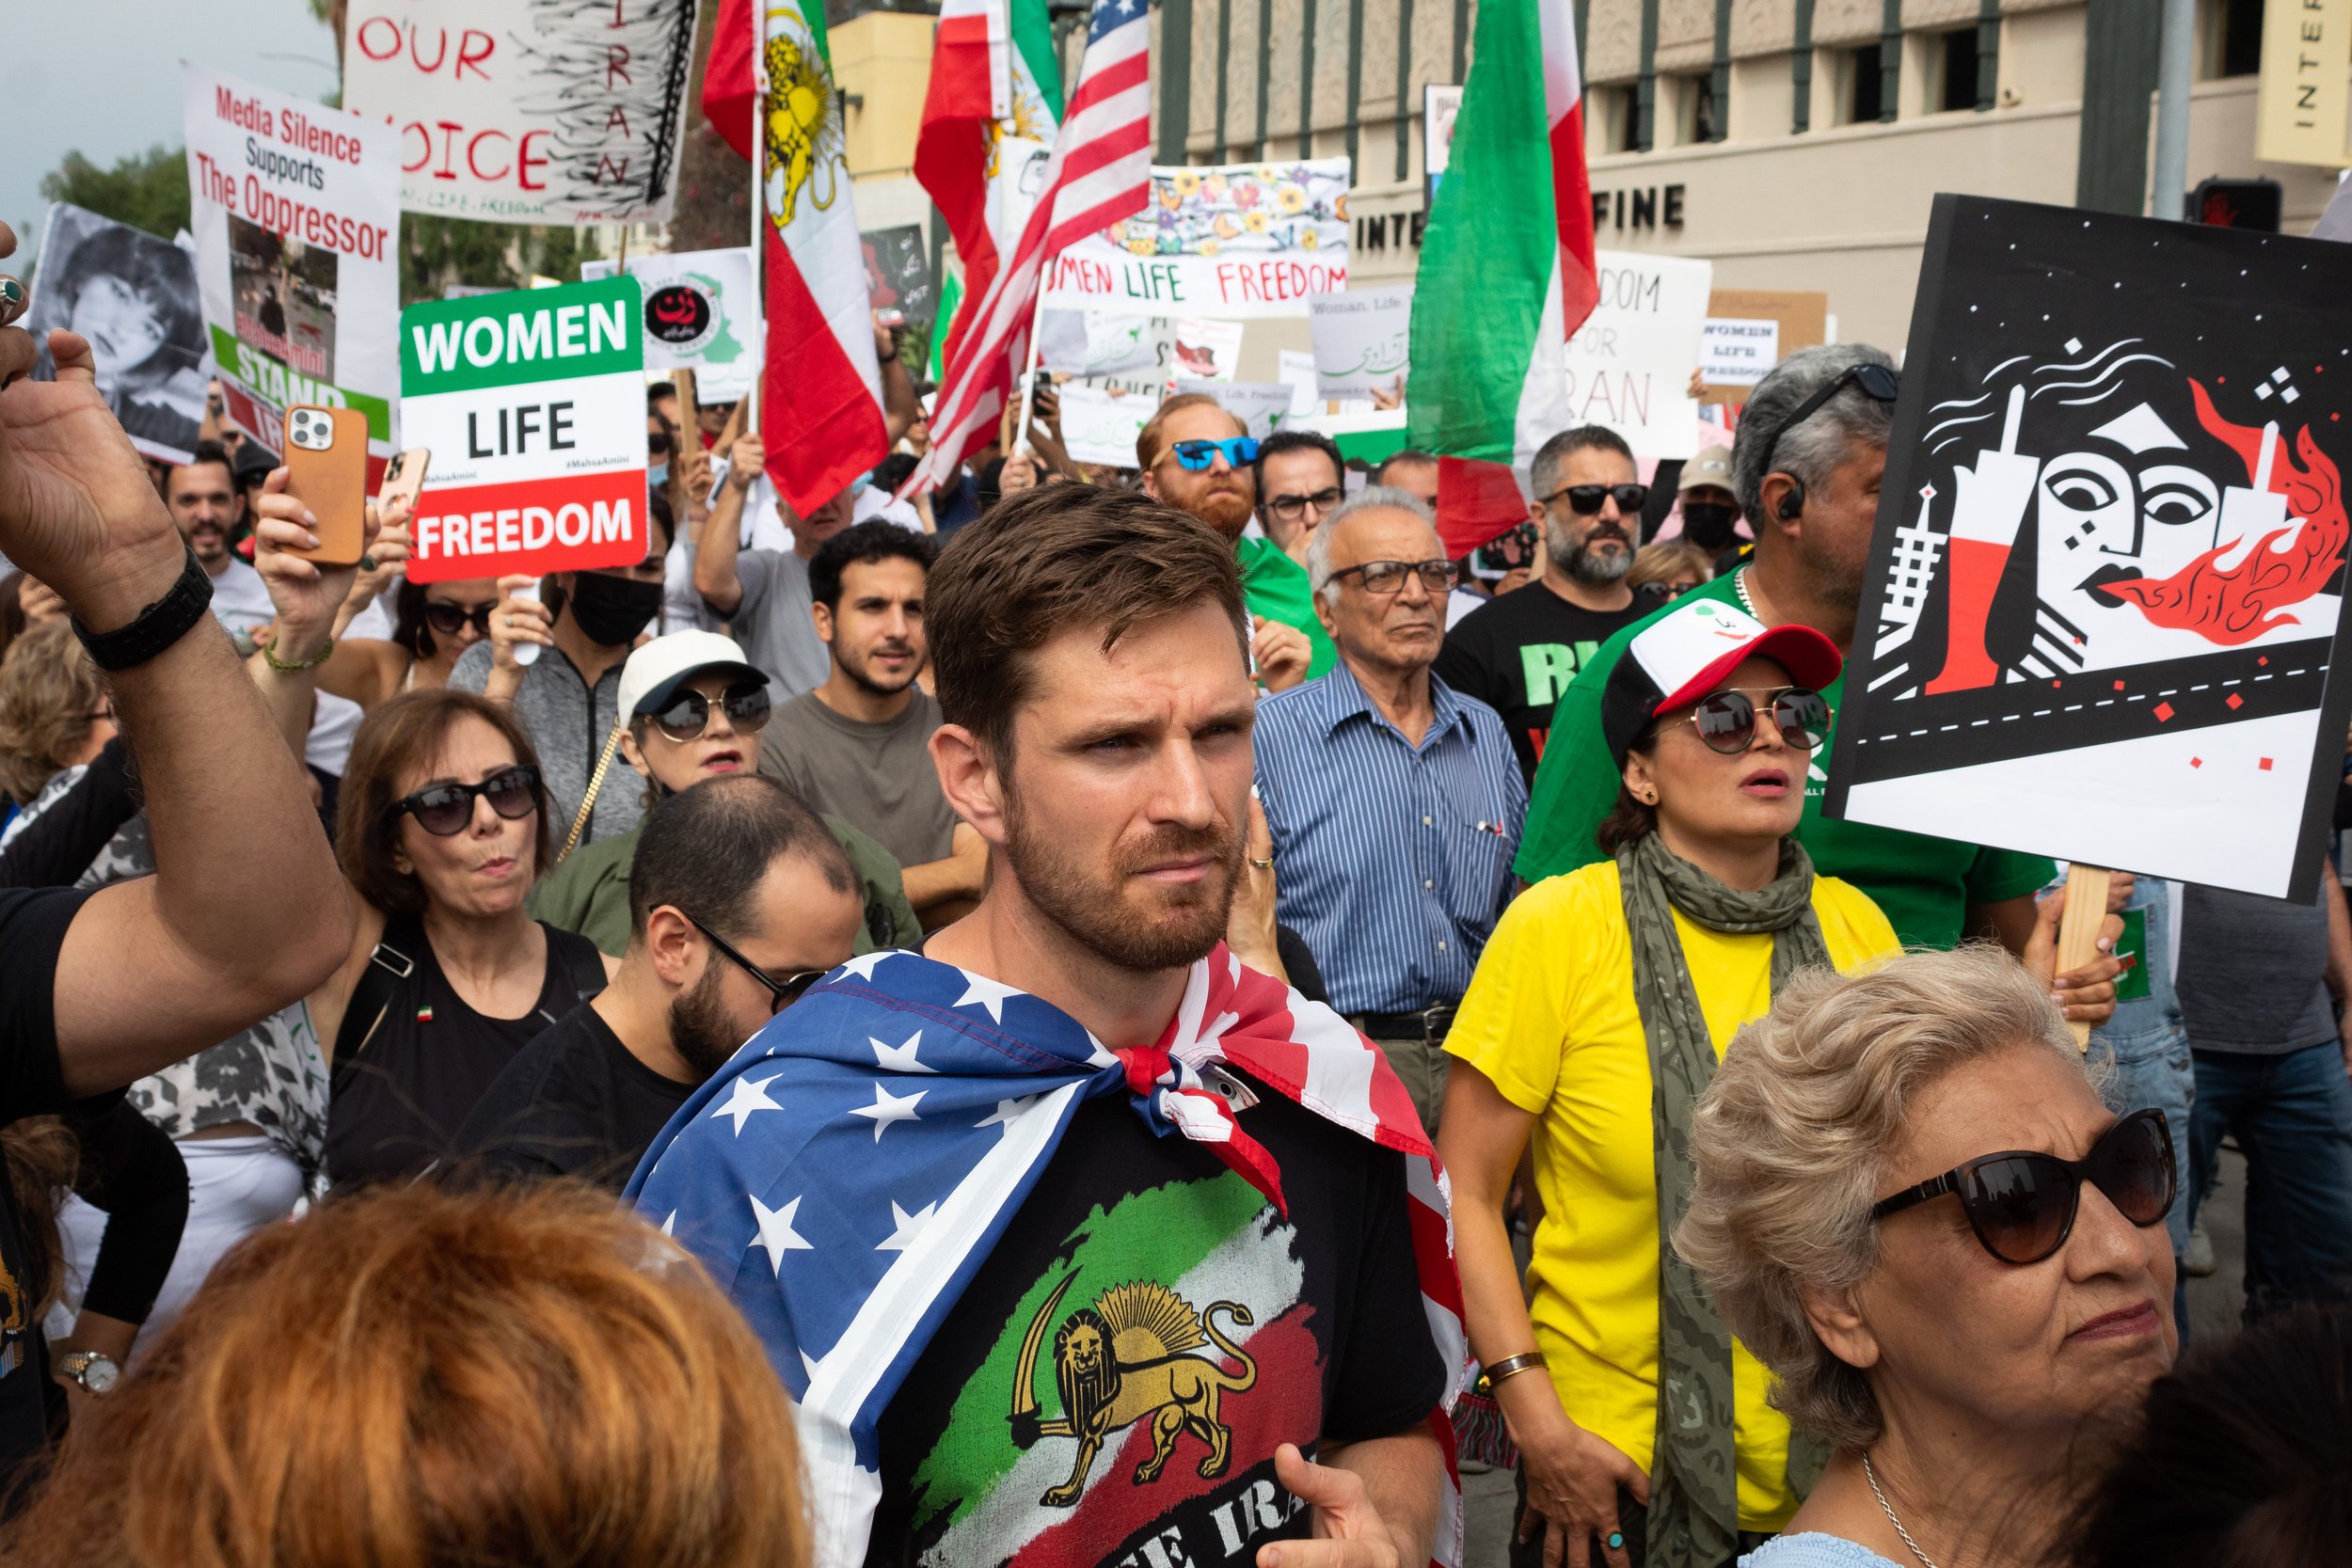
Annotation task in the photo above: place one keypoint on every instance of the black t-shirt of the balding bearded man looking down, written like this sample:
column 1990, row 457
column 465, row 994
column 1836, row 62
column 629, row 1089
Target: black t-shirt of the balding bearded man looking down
column 575, row 1104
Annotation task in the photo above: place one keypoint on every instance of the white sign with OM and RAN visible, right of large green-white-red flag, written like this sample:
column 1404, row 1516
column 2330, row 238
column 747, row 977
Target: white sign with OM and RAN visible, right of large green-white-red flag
column 1631, row 363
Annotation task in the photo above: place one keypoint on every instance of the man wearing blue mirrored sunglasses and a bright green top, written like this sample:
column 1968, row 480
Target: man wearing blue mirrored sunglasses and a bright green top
column 1201, row 460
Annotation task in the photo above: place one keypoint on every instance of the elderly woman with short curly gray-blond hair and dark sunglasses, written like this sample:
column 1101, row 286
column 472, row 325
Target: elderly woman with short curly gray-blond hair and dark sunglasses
column 1916, row 1212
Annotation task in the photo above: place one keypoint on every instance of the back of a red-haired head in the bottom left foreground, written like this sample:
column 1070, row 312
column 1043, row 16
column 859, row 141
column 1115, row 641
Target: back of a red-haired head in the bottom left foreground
column 422, row 1379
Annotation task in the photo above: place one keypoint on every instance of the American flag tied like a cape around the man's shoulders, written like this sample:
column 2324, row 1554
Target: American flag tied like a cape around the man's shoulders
column 850, row 1172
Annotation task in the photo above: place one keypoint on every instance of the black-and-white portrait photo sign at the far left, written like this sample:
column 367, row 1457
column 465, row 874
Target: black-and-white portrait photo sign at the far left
column 135, row 300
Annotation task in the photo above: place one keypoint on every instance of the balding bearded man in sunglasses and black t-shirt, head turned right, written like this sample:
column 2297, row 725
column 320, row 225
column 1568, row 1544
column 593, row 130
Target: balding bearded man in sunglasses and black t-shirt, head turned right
column 737, row 904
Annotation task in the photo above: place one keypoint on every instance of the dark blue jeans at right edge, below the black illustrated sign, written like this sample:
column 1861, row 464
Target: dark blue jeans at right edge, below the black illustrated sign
column 2294, row 1120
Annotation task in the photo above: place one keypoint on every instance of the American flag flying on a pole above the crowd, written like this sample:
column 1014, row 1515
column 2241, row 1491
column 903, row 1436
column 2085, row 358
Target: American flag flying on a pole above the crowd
column 1100, row 175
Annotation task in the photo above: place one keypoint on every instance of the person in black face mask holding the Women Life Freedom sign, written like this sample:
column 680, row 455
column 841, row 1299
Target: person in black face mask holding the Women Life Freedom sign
column 577, row 636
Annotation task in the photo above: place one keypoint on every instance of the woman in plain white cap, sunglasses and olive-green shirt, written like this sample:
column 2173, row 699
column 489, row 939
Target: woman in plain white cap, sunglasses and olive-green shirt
column 697, row 713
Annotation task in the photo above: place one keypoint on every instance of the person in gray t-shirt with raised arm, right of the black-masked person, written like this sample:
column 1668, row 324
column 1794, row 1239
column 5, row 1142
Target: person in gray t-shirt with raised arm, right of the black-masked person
column 766, row 594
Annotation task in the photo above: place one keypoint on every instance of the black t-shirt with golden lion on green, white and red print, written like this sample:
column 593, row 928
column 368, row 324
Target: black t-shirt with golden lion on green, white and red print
column 1198, row 1332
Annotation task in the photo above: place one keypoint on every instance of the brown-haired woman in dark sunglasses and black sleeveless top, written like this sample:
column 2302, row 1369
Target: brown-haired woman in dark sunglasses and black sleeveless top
column 441, row 831
